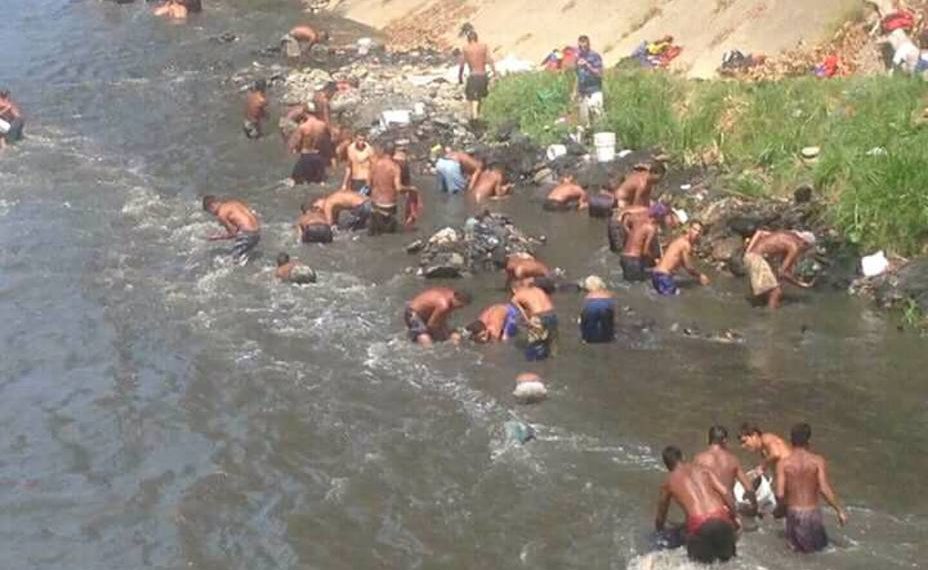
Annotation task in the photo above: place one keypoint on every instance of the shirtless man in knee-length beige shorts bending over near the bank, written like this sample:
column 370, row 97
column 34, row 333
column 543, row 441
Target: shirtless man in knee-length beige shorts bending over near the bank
column 788, row 246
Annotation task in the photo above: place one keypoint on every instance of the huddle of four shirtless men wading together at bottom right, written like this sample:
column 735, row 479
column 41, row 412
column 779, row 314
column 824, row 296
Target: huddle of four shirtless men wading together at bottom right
column 705, row 490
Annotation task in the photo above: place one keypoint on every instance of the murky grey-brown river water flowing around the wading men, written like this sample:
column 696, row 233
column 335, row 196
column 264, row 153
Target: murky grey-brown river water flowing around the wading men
column 163, row 409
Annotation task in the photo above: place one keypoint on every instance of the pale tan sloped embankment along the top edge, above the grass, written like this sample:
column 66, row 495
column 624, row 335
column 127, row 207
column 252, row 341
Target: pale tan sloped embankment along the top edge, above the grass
column 530, row 28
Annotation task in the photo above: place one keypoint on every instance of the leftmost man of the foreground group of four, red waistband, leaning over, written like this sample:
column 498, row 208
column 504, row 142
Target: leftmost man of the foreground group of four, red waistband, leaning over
column 711, row 519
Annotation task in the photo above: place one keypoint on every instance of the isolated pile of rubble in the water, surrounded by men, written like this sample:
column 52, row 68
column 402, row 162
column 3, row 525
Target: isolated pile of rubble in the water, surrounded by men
column 481, row 245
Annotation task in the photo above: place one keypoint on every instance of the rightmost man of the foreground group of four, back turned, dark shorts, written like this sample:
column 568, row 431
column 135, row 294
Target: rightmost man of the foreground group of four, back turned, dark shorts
column 801, row 478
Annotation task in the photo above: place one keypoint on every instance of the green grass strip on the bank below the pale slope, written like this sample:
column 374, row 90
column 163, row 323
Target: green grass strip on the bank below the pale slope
column 755, row 132
